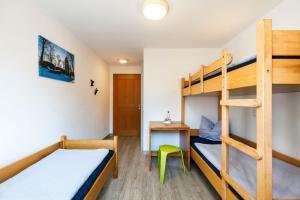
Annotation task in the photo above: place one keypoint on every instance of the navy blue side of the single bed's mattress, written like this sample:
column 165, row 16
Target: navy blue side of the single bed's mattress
column 85, row 188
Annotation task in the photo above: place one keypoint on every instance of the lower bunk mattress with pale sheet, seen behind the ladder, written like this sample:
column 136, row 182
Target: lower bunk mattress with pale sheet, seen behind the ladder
column 242, row 168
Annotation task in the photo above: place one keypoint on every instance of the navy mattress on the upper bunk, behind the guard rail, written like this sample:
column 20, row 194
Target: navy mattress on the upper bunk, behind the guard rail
column 236, row 66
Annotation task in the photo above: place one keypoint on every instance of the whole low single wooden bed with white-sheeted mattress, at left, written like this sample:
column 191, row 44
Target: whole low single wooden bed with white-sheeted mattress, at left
column 69, row 169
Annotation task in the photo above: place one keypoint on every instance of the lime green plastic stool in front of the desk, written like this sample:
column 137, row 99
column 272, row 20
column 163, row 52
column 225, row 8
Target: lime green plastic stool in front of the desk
column 163, row 152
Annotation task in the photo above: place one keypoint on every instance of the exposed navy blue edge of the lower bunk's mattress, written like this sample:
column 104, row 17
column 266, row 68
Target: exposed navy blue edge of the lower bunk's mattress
column 197, row 139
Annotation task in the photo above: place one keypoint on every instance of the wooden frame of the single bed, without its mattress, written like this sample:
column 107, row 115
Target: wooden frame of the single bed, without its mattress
column 111, row 167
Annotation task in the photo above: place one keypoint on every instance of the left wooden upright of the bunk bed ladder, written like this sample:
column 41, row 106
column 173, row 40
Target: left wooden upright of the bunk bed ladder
column 225, row 124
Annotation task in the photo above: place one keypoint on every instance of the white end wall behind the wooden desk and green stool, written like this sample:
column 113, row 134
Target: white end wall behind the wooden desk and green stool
column 162, row 73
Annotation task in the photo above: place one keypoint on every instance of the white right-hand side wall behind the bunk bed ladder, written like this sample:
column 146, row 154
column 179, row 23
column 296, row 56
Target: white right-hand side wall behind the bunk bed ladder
column 286, row 107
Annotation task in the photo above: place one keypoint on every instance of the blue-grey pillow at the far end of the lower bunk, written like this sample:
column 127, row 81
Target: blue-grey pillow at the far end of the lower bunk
column 209, row 130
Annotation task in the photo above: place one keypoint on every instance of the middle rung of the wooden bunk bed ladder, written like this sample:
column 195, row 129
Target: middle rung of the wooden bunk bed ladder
column 242, row 147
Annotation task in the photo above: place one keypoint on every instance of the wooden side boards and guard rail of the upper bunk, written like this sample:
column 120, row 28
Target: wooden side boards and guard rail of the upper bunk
column 285, row 72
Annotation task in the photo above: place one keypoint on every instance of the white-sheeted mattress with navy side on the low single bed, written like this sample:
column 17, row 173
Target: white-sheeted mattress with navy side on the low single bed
column 64, row 174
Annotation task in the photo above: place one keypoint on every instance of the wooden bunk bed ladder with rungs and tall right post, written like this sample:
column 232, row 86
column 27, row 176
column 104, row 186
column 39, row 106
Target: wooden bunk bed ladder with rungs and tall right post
column 263, row 104
